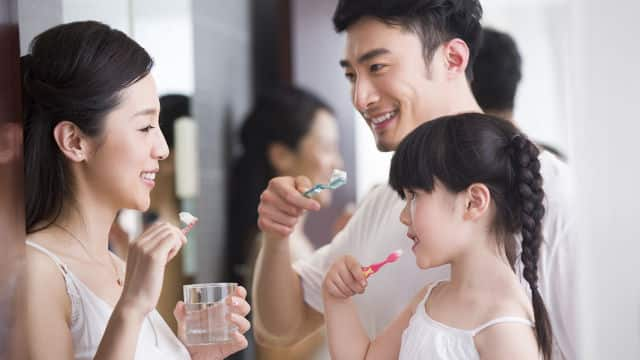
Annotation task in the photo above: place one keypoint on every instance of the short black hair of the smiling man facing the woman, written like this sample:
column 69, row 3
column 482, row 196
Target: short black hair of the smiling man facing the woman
column 434, row 21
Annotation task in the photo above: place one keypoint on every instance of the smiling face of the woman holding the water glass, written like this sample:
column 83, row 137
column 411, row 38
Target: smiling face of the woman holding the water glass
column 125, row 159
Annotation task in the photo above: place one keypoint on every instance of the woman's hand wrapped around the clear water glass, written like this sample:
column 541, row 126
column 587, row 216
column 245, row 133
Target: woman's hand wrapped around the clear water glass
column 240, row 308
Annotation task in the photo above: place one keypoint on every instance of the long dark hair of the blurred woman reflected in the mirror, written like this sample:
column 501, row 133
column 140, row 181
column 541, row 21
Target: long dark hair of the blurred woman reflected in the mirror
column 285, row 116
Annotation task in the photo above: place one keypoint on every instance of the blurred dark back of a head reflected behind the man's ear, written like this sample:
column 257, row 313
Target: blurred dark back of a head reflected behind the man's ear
column 497, row 71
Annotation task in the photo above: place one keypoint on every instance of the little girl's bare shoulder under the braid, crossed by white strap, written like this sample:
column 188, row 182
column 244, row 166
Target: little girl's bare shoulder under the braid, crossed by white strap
column 509, row 339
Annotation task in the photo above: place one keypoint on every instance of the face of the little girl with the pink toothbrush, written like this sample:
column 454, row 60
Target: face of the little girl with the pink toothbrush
column 435, row 224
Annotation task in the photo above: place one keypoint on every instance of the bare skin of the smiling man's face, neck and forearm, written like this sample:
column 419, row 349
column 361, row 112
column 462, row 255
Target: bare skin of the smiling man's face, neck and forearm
column 387, row 72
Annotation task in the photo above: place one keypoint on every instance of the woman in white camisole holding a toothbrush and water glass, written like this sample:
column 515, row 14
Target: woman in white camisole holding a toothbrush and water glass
column 93, row 146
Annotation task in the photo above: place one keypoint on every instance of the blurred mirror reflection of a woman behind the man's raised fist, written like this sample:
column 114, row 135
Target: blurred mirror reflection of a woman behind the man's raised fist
column 289, row 132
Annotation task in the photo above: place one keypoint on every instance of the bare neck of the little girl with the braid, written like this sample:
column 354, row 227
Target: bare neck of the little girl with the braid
column 481, row 267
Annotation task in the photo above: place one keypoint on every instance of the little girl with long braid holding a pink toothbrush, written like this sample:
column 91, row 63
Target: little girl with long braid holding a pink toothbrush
column 471, row 184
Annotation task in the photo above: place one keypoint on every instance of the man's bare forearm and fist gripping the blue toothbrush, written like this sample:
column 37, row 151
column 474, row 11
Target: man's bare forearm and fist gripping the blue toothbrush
column 281, row 316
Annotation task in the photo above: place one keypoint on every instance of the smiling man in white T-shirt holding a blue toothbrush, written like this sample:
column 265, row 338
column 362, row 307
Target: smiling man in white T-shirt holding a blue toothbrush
column 408, row 62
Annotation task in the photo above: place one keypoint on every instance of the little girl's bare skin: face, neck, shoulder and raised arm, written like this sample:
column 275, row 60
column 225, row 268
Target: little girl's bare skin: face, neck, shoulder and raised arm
column 482, row 286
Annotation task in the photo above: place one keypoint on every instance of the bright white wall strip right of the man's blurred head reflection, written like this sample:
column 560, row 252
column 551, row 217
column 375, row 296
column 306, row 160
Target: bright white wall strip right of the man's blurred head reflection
column 539, row 29
